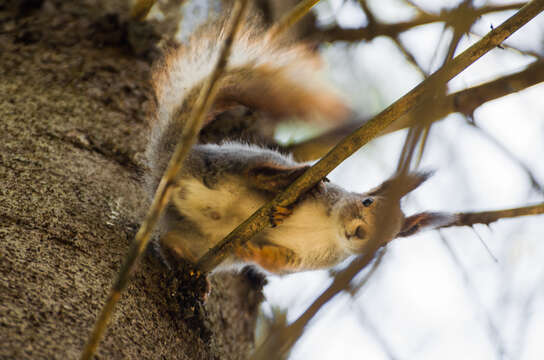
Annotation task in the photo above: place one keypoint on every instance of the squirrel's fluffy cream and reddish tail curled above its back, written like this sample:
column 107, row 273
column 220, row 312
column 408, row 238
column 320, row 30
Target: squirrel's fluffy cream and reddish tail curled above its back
column 263, row 74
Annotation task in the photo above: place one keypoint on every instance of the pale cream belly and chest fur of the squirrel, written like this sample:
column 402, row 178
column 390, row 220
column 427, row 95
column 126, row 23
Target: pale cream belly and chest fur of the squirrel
column 309, row 231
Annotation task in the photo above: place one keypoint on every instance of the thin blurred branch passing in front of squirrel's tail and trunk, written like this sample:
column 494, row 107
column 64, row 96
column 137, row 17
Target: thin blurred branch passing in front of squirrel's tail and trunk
column 164, row 190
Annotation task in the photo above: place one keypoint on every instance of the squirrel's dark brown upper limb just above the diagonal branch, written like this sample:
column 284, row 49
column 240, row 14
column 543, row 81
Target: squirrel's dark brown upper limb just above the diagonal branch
column 274, row 177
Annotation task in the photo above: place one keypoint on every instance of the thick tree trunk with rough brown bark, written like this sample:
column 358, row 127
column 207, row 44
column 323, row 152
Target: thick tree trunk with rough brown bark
column 73, row 95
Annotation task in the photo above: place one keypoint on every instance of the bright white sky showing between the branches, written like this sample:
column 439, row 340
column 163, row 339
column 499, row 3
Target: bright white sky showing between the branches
column 420, row 302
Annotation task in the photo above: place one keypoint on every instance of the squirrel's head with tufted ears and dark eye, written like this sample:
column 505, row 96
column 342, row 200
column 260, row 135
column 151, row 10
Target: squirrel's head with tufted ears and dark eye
column 361, row 215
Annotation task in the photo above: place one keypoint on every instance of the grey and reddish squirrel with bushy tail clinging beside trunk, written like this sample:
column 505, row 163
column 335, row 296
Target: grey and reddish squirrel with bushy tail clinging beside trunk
column 222, row 184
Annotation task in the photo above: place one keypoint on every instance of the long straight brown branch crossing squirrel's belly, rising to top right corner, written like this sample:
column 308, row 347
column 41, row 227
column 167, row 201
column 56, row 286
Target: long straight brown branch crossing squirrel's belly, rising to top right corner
column 260, row 219
